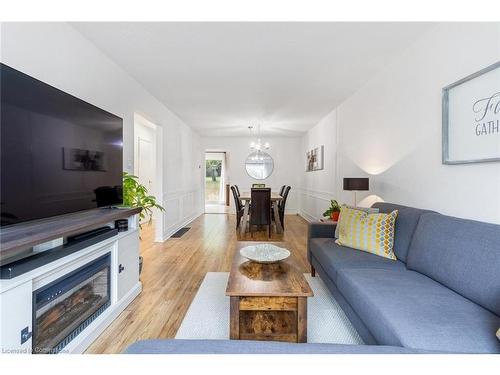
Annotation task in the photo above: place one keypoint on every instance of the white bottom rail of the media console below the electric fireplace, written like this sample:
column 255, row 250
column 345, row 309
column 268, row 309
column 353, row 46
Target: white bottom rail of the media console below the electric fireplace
column 92, row 332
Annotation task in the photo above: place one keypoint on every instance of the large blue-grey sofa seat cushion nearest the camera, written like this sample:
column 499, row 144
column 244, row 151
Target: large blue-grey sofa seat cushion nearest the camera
column 406, row 308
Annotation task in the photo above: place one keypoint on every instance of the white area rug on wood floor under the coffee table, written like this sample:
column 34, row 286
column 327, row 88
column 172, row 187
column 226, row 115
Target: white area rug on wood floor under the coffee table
column 208, row 315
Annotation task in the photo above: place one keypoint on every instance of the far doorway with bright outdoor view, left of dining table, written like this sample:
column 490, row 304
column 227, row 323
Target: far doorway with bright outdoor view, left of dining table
column 215, row 183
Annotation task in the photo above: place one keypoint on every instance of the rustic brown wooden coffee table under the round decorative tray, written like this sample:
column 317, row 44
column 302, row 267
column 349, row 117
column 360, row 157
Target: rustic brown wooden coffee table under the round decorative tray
column 268, row 301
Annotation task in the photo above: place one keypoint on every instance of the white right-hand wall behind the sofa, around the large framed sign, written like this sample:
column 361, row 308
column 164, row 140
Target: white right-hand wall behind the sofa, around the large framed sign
column 390, row 129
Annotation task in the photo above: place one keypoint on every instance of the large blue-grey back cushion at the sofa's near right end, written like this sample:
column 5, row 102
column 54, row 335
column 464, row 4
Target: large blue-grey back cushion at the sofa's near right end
column 462, row 254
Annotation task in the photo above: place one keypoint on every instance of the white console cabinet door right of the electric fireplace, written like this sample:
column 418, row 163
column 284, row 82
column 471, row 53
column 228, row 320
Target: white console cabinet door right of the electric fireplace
column 128, row 263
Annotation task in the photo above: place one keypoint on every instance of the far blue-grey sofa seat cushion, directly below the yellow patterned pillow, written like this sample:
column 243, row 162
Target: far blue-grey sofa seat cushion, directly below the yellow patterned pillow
column 333, row 257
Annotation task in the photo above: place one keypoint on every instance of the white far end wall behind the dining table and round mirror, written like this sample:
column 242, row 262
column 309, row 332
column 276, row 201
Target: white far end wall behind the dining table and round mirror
column 288, row 166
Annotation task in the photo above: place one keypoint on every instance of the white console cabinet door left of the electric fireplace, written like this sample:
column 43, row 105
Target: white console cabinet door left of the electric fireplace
column 16, row 316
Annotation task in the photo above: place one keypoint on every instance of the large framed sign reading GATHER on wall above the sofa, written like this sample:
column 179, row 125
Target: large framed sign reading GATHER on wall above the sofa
column 471, row 118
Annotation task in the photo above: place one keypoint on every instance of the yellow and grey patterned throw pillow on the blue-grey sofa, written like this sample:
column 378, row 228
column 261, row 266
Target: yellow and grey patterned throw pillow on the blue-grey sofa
column 373, row 233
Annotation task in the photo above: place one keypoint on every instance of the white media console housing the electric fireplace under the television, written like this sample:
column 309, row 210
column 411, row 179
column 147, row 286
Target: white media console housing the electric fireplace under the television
column 17, row 294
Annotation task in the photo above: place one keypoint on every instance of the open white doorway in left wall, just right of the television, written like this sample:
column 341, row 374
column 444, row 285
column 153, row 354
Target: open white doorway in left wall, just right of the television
column 145, row 158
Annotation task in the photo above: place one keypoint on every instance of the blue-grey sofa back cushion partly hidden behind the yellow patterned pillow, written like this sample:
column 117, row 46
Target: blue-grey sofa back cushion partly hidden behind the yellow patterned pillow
column 405, row 226
